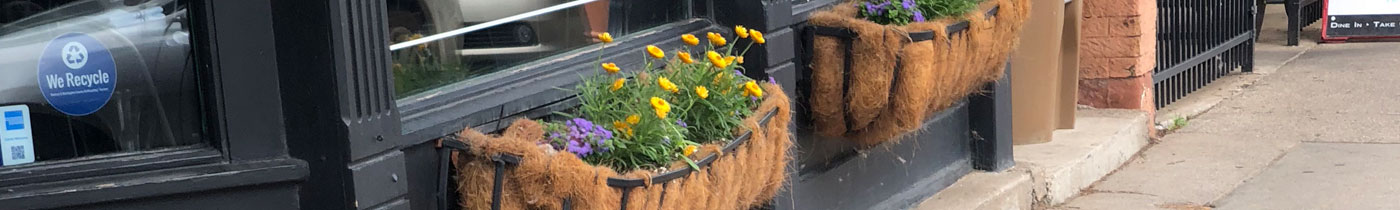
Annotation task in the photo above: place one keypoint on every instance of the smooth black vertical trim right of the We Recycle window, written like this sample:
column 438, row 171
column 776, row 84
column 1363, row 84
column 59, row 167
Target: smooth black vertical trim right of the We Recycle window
column 247, row 75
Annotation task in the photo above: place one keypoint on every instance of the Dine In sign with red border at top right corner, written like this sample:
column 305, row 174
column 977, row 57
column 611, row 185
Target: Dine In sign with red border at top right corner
column 1360, row 19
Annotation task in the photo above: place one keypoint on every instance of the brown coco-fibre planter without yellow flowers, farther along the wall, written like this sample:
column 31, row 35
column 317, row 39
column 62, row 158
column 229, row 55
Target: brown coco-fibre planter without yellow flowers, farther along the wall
column 874, row 83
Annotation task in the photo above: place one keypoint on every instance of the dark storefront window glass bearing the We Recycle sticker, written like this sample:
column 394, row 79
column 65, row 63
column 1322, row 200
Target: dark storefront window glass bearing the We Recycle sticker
column 86, row 78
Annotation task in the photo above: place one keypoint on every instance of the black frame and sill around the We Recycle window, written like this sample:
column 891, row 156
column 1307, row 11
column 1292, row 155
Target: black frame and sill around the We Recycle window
column 233, row 47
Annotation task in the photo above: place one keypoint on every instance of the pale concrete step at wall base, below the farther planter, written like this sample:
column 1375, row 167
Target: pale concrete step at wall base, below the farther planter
column 1052, row 173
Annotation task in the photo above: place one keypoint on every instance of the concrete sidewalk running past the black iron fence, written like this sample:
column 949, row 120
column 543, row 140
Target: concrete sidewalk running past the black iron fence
column 1317, row 134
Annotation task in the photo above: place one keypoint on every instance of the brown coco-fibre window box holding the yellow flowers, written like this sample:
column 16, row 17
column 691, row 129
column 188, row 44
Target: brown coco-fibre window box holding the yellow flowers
column 510, row 171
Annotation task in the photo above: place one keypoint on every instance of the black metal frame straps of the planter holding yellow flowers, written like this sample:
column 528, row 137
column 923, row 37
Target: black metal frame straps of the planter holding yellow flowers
column 505, row 162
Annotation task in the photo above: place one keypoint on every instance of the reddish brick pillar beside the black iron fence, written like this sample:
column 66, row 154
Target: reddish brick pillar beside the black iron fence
column 1118, row 54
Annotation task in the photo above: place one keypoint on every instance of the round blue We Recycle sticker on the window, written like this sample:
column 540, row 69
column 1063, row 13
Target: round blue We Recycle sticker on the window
column 76, row 75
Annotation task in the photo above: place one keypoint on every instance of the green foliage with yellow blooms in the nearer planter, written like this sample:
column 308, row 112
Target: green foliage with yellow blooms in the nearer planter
column 654, row 142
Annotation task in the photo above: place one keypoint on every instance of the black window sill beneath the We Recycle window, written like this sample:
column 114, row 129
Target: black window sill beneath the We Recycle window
column 152, row 184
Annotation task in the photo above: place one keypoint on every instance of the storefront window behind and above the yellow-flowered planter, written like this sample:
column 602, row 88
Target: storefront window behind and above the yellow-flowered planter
column 502, row 47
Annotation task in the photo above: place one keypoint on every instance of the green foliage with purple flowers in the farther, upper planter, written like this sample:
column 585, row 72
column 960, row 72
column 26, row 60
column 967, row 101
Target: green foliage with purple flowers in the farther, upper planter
column 895, row 13
